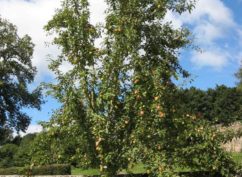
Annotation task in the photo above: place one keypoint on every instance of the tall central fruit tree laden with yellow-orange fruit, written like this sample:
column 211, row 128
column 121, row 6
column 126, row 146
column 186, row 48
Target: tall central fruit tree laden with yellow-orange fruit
column 118, row 98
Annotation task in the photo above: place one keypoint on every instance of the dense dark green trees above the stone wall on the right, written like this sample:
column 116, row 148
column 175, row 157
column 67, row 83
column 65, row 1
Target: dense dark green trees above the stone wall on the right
column 221, row 105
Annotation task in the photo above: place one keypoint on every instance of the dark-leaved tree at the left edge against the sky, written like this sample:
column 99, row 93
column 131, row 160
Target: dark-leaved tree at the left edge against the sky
column 16, row 72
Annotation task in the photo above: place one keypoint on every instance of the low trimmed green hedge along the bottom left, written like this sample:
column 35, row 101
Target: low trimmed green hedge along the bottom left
column 42, row 170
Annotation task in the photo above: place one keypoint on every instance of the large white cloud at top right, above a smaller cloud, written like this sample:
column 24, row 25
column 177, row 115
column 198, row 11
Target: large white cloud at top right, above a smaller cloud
column 211, row 19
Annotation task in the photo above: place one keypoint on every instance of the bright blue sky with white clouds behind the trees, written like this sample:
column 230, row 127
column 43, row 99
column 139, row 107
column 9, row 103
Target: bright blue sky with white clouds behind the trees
column 215, row 24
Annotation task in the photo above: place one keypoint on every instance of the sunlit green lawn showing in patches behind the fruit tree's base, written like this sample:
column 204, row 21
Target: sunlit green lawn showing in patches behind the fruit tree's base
column 139, row 168
